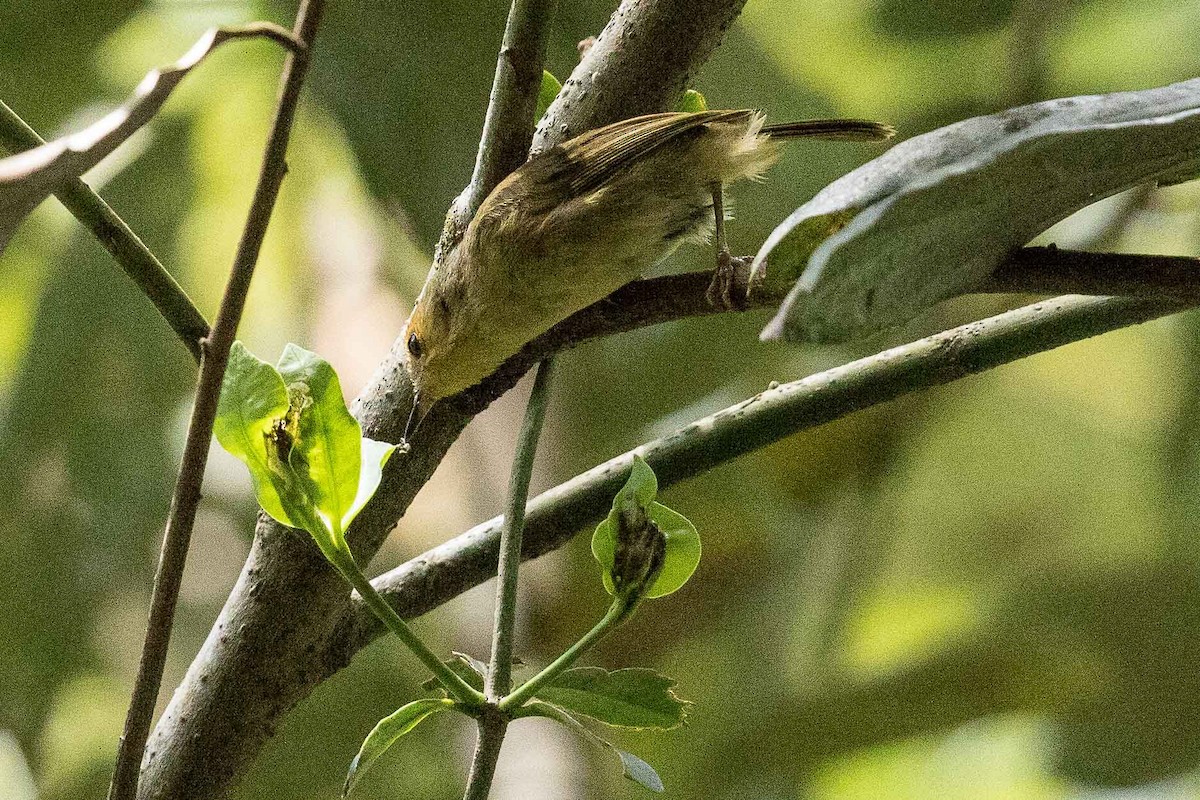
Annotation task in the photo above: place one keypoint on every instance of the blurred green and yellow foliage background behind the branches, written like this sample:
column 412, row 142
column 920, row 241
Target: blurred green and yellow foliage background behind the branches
column 988, row 591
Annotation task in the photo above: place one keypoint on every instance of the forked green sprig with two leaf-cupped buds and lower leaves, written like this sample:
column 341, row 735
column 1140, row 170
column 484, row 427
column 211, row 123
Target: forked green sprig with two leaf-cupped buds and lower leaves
column 314, row 470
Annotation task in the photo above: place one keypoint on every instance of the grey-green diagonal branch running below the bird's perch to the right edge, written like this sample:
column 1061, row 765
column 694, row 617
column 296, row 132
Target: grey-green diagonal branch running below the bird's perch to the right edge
column 554, row 518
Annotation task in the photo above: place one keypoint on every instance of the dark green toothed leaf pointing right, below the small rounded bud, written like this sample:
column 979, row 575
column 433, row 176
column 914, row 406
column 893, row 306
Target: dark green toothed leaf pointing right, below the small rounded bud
column 626, row 699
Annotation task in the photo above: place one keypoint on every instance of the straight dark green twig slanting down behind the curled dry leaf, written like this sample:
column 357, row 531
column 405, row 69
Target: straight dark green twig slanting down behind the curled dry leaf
column 130, row 252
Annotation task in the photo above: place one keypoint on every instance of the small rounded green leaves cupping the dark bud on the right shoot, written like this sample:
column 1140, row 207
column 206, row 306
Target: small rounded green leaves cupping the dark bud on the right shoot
column 682, row 539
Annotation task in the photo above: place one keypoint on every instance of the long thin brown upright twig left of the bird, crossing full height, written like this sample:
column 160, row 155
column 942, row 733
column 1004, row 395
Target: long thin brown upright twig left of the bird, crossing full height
column 215, row 353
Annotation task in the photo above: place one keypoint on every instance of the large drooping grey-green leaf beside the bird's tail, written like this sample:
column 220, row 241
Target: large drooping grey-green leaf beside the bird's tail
column 937, row 214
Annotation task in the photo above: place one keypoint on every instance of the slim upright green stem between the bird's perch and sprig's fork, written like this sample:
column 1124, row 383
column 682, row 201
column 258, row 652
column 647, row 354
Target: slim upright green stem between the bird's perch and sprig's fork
column 500, row 675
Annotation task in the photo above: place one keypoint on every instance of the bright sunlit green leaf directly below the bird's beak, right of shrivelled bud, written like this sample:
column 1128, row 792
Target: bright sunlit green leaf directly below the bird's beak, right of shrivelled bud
column 328, row 452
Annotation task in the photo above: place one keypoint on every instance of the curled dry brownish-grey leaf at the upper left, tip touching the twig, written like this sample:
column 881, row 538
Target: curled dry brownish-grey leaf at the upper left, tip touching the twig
column 29, row 178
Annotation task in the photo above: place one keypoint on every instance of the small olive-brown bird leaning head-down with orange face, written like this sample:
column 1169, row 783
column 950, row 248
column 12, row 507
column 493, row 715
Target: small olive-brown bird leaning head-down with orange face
column 578, row 222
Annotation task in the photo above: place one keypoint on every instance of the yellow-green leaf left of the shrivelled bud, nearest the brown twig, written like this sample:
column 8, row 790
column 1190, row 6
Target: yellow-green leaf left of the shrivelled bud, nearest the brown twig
column 254, row 399
